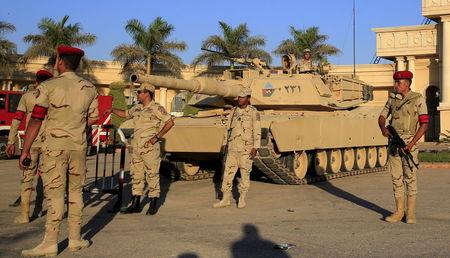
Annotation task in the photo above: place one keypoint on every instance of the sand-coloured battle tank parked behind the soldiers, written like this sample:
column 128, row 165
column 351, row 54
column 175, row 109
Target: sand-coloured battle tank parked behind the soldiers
column 315, row 126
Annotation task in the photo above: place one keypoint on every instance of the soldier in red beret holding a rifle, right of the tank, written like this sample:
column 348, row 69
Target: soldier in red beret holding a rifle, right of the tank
column 408, row 115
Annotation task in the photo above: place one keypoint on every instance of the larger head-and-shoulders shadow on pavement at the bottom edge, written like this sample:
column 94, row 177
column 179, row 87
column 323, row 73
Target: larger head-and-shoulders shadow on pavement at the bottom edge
column 252, row 245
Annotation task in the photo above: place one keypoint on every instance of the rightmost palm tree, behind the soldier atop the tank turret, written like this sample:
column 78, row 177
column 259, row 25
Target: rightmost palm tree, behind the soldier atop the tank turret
column 309, row 38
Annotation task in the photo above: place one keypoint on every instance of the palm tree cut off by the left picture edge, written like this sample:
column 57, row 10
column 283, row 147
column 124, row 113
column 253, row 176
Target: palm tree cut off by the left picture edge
column 7, row 48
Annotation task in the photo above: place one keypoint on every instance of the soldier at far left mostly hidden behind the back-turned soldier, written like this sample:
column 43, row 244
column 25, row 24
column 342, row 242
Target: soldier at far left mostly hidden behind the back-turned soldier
column 24, row 109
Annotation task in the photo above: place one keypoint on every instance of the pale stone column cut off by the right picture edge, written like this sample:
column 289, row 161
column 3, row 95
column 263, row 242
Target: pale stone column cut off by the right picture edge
column 444, row 106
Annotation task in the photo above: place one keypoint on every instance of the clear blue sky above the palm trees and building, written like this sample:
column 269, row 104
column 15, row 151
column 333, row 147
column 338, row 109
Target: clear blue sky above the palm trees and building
column 195, row 20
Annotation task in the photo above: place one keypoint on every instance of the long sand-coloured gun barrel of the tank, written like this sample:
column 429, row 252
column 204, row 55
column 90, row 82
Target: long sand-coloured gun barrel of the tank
column 230, row 88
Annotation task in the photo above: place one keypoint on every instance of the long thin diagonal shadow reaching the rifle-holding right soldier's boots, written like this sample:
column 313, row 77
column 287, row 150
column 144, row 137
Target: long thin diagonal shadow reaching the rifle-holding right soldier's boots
column 330, row 188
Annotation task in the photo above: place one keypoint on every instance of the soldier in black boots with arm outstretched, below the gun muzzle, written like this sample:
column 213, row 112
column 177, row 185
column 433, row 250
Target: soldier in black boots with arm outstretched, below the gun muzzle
column 151, row 122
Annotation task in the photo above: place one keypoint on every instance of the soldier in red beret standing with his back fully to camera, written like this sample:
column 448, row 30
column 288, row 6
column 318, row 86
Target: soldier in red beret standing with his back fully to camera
column 68, row 103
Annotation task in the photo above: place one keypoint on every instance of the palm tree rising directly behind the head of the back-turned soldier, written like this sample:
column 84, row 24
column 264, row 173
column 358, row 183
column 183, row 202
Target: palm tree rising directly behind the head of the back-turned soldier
column 54, row 34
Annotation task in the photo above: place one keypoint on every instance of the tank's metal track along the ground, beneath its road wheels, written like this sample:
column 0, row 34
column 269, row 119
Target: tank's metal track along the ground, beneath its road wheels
column 279, row 173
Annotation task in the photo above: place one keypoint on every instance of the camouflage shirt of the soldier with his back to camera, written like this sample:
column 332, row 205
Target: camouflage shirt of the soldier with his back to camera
column 70, row 100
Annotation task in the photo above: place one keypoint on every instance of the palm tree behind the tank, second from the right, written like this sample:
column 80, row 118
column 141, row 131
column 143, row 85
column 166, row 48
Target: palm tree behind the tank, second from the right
column 234, row 42
